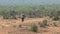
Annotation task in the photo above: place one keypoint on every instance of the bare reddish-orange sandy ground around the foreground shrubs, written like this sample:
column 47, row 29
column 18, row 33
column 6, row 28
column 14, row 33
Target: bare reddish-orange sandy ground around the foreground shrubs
column 11, row 26
